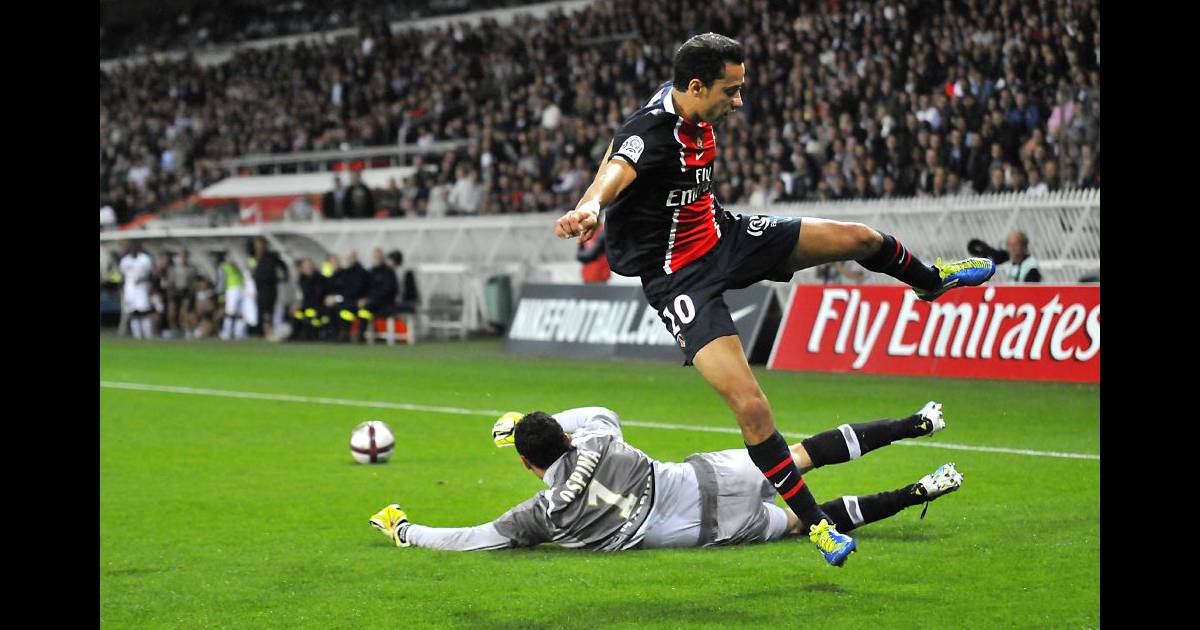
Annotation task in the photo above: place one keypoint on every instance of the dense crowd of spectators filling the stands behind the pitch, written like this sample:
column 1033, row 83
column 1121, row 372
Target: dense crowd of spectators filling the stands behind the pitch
column 843, row 100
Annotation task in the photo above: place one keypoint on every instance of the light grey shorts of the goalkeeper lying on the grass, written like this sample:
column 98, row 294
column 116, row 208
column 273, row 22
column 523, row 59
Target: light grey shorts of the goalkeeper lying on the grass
column 737, row 502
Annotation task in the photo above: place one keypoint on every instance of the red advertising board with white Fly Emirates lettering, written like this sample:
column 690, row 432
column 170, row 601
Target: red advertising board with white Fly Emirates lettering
column 1016, row 332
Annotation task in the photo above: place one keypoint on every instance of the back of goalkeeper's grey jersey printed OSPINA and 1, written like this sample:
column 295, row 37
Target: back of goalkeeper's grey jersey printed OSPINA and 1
column 601, row 494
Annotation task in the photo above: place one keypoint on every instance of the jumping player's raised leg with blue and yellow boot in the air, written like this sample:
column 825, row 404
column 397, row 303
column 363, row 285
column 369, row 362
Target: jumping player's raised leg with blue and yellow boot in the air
column 824, row 242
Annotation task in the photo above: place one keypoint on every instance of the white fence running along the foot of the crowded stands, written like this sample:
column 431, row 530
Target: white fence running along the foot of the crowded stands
column 1064, row 230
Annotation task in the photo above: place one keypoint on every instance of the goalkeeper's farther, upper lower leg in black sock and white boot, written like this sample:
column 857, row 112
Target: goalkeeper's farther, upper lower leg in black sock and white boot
column 853, row 441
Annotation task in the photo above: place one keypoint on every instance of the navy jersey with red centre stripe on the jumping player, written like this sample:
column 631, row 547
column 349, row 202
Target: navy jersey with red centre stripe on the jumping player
column 668, row 217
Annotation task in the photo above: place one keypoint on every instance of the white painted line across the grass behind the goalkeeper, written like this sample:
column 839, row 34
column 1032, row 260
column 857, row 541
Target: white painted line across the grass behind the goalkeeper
column 460, row 411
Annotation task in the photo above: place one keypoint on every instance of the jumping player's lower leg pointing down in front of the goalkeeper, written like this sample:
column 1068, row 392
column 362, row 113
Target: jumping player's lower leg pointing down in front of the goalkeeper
column 723, row 364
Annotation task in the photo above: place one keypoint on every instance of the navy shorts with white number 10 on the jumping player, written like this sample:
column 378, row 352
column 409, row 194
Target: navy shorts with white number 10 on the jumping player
column 692, row 303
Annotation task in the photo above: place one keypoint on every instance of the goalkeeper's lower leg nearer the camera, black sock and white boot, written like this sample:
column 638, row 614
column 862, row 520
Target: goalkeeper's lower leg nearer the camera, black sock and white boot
column 851, row 513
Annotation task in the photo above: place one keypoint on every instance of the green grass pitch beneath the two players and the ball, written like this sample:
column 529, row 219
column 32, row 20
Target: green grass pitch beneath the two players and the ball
column 236, row 513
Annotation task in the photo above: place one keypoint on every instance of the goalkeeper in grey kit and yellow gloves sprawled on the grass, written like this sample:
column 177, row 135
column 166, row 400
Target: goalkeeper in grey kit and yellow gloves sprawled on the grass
column 607, row 495
